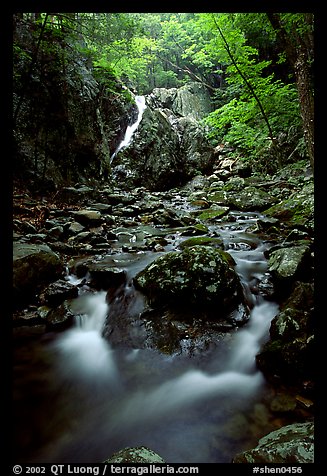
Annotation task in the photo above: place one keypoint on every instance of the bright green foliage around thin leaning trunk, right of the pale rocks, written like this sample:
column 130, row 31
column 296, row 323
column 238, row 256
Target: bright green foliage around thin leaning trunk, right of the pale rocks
column 240, row 120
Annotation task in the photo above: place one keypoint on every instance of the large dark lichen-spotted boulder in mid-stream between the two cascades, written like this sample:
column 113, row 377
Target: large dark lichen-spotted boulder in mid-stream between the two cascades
column 198, row 276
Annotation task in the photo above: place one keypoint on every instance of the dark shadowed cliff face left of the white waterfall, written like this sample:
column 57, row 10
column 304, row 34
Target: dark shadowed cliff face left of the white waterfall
column 66, row 123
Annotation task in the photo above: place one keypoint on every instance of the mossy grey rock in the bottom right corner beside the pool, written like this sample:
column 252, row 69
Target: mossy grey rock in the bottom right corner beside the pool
column 289, row 444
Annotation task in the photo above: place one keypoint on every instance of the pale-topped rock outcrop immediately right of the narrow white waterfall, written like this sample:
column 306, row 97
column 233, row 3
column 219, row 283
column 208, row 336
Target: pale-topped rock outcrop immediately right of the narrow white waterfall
column 169, row 146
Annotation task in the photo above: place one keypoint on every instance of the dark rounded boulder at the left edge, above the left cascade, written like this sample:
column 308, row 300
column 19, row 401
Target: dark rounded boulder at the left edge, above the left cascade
column 34, row 266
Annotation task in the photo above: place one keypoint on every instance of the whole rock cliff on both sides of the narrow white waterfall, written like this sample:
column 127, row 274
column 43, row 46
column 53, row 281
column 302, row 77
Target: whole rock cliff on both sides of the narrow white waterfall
column 69, row 118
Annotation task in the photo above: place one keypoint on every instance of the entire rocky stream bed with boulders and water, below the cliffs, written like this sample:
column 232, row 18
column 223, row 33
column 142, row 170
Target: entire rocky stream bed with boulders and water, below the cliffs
column 132, row 307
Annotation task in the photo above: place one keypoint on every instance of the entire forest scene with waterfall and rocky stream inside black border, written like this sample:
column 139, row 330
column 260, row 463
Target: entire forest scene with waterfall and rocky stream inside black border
column 163, row 239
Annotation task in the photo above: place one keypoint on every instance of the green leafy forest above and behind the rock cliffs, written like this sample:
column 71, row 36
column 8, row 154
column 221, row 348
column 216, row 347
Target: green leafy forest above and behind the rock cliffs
column 257, row 67
